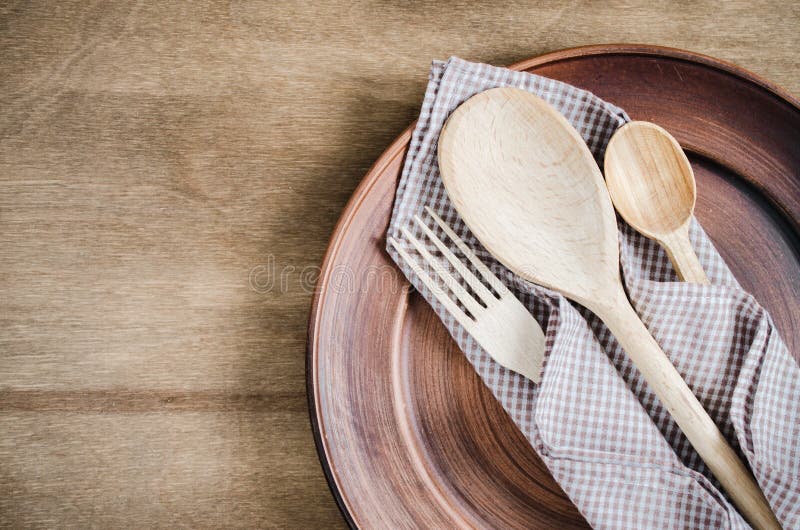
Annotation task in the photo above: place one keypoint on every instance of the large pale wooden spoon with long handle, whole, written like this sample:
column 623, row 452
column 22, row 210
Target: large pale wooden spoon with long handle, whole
column 527, row 186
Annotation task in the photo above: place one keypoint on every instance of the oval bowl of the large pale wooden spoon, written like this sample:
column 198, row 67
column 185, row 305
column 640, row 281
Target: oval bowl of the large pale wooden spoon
column 492, row 153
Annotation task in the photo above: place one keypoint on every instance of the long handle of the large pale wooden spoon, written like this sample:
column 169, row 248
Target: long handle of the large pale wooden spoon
column 688, row 413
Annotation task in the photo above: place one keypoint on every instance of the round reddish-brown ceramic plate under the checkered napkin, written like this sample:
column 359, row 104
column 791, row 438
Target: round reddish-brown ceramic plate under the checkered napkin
column 407, row 434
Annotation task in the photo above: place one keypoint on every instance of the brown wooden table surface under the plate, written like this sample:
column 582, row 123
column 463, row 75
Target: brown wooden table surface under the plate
column 170, row 176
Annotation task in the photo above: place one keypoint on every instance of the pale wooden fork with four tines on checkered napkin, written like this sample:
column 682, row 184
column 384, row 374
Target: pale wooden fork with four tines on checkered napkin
column 497, row 320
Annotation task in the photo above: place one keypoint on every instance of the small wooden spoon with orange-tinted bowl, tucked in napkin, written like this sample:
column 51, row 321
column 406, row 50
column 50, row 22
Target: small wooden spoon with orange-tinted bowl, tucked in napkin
column 652, row 185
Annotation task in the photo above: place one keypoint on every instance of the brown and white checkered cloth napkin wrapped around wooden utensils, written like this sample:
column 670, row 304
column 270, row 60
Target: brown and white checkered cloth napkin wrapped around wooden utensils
column 600, row 430
